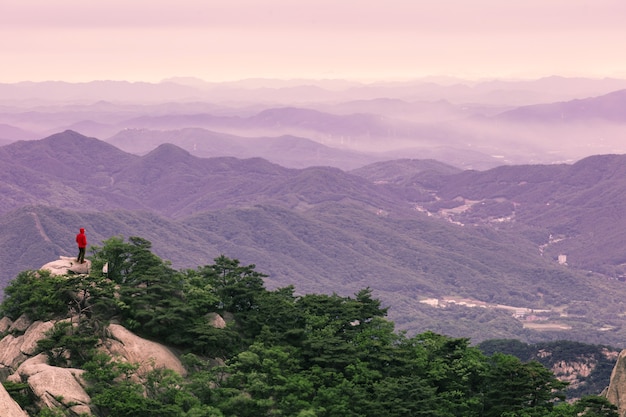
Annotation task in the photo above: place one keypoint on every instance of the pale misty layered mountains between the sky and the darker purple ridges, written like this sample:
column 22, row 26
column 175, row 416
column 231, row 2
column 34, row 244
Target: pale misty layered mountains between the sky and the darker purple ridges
column 302, row 123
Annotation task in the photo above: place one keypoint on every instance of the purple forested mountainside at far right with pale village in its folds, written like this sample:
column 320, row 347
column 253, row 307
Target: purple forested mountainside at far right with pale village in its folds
column 580, row 205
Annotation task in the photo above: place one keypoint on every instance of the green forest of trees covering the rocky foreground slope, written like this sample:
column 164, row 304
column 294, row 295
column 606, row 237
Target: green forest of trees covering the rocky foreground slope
column 280, row 354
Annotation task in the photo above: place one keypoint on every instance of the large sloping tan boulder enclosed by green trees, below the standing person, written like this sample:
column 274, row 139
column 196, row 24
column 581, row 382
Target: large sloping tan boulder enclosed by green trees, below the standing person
column 148, row 355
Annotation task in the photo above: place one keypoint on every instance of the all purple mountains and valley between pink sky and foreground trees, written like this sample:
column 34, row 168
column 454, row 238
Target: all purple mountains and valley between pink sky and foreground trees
column 411, row 197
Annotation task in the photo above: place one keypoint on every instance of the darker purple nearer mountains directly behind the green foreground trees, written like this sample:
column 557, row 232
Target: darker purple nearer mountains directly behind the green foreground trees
column 531, row 237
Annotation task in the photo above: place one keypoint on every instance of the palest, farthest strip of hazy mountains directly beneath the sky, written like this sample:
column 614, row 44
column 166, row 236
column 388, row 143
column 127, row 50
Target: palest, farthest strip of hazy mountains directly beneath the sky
column 509, row 92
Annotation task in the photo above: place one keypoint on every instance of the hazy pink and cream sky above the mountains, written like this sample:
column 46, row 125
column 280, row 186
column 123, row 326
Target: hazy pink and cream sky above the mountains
column 217, row 40
